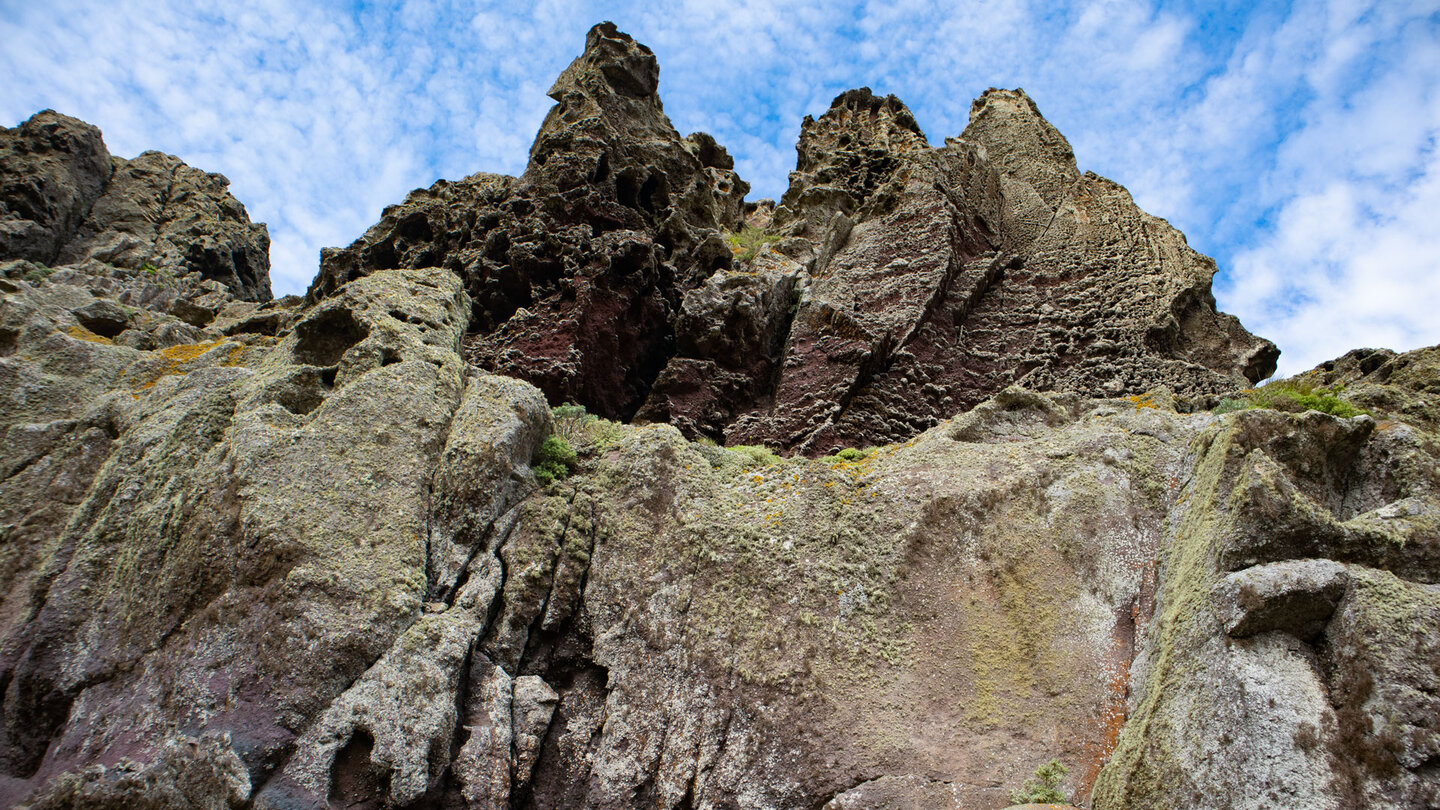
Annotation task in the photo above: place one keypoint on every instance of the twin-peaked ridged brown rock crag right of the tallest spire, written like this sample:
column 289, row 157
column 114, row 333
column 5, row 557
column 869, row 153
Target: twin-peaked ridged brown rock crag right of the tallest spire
column 937, row 277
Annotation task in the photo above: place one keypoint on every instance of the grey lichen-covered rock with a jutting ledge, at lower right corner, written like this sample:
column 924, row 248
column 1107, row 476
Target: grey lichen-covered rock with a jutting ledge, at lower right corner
column 1305, row 678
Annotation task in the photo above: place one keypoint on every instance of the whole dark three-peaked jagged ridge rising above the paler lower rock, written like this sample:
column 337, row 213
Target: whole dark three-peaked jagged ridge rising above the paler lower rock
column 894, row 286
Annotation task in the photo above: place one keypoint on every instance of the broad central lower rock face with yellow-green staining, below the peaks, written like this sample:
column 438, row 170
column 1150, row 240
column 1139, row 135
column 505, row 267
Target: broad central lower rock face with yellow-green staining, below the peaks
column 945, row 613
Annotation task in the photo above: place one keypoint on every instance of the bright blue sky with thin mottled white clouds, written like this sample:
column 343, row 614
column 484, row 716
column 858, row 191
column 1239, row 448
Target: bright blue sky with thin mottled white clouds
column 1295, row 143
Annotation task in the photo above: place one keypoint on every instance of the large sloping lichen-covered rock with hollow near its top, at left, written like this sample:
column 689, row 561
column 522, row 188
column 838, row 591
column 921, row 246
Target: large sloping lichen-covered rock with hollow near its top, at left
column 257, row 537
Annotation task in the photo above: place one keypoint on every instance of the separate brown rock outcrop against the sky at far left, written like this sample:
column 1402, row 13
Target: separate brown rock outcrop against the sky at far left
column 67, row 202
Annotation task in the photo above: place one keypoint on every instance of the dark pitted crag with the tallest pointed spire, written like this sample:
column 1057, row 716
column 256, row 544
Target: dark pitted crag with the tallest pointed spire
column 577, row 270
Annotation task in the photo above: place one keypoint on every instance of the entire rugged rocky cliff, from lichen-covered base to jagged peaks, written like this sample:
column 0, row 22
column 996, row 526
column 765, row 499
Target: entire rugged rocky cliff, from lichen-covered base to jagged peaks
column 294, row 554
